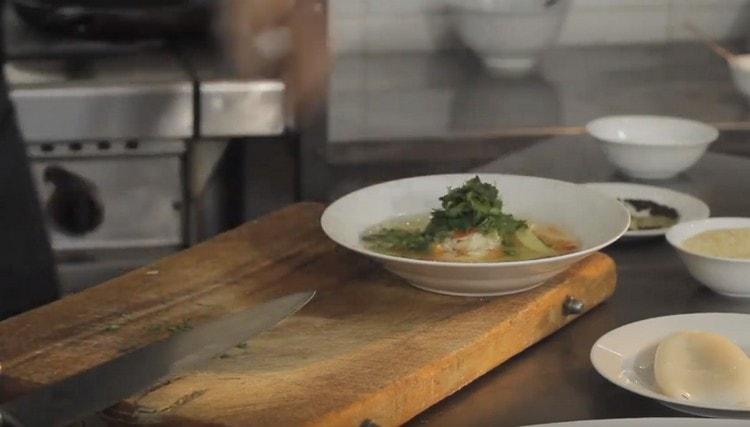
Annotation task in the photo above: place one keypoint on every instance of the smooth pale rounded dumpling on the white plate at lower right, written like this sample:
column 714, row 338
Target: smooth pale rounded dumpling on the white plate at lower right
column 703, row 367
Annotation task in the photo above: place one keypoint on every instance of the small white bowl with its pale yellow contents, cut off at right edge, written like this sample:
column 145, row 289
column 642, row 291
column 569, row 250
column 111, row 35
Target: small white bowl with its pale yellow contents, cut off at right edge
column 716, row 252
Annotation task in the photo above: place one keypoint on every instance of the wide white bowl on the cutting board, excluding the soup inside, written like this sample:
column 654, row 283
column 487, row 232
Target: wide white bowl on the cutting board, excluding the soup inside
column 595, row 219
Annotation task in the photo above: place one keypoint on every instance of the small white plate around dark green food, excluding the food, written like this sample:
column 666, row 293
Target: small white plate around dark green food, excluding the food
column 689, row 207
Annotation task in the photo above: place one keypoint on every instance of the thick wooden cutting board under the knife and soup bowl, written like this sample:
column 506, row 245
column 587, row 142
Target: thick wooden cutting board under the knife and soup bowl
column 368, row 347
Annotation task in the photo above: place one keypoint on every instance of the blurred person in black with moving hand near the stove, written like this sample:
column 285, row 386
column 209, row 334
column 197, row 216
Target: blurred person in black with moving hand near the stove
column 259, row 37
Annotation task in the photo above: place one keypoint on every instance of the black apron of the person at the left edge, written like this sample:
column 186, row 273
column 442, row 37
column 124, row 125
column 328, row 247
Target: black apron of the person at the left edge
column 27, row 271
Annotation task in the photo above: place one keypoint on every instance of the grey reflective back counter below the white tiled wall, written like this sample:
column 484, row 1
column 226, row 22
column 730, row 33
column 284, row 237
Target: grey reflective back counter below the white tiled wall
column 375, row 97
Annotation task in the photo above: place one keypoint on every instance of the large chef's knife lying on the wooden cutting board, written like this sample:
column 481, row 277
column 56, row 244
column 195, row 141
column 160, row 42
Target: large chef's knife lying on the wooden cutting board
column 90, row 391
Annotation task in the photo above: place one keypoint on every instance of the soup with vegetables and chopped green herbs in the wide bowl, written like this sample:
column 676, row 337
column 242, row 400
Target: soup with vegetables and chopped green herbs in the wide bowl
column 470, row 226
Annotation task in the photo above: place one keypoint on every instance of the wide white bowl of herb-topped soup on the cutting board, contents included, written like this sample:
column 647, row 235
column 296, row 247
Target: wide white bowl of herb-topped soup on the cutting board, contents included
column 541, row 228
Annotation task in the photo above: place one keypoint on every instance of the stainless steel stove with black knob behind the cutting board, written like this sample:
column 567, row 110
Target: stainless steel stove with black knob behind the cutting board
column 123, row 140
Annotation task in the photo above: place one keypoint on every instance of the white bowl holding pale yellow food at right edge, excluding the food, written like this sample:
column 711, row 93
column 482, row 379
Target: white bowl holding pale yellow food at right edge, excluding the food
column 726, row 276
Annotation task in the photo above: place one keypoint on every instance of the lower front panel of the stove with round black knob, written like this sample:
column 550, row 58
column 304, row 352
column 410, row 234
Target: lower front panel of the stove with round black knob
column 109, row 207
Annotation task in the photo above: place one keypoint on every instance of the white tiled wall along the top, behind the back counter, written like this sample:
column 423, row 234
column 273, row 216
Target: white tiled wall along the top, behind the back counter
column 414, row 25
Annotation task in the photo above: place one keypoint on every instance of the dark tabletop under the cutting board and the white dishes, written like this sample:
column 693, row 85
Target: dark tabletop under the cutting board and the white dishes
column 554, row 380
